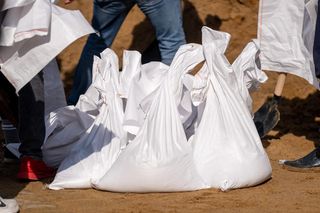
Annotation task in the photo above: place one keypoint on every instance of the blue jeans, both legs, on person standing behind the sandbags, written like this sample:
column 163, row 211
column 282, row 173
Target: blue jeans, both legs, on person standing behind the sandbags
column 108, row 15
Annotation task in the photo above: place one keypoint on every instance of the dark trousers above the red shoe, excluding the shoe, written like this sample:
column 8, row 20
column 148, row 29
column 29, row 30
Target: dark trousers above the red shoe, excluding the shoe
column 26, row 112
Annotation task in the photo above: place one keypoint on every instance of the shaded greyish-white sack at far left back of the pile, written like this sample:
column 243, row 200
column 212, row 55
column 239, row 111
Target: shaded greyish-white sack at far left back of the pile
column 68, row 126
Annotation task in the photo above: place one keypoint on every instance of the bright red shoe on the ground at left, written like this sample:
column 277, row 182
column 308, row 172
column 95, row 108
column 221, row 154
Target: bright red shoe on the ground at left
column 33, row 169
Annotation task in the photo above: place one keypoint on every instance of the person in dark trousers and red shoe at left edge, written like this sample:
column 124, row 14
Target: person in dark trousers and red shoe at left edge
column 26, row 110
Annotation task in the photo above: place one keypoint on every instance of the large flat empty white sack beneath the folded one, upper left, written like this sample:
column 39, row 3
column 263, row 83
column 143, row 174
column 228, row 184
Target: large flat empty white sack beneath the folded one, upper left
column 24, row 59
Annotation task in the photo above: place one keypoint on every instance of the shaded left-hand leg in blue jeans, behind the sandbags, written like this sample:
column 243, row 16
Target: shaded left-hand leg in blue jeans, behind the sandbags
column 108, row 15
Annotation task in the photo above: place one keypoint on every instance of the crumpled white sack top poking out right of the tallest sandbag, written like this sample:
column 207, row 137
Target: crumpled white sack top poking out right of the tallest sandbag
column 249, row 74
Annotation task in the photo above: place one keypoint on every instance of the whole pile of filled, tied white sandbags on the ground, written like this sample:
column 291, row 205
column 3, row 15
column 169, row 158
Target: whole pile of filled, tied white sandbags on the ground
column 157, row 128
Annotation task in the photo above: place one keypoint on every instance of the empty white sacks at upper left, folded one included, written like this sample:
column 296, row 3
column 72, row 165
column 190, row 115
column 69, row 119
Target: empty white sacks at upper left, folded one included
column 40, row 34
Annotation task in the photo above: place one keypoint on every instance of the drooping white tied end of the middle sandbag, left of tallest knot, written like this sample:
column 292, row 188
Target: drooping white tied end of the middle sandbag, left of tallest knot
column 187, row 57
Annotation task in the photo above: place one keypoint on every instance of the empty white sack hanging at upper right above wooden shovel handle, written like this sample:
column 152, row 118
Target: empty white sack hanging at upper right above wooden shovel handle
column 286, row 34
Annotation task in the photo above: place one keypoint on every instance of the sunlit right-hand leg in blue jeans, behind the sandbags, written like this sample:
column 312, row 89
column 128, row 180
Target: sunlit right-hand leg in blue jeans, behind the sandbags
column 165, row 16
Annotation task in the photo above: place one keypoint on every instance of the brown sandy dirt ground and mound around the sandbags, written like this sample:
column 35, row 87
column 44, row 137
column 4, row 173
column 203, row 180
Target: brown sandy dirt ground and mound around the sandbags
column 296, row 134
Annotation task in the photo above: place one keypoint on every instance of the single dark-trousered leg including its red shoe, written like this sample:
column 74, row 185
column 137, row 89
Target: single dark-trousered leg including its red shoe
column 32, row 130
